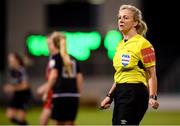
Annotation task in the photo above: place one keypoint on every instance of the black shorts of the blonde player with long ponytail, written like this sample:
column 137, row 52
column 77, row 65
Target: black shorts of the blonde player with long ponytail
column 65, row 108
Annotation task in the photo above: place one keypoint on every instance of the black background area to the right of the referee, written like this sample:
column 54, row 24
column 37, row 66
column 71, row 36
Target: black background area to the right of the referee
column 163, row 22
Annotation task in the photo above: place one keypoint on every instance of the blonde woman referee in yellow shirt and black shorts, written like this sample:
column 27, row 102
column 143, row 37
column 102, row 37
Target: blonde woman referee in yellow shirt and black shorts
column 135, row 77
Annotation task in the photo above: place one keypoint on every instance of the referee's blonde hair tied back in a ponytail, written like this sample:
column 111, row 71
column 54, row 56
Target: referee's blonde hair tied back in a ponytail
column 141, row 27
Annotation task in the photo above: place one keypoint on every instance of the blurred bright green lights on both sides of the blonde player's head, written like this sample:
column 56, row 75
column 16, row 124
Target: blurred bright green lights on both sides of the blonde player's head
column 79, row 44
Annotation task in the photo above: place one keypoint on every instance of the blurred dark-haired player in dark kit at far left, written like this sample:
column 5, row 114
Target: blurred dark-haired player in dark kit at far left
column 19, row 90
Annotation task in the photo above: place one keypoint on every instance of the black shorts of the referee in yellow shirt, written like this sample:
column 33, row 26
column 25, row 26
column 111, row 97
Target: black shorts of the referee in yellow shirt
column 130, row 103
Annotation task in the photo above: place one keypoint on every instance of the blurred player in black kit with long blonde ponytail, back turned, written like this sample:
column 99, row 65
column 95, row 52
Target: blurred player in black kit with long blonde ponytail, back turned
column 64, row 79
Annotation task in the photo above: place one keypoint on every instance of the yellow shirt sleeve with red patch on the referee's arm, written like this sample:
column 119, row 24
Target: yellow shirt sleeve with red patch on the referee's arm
column 147, row 54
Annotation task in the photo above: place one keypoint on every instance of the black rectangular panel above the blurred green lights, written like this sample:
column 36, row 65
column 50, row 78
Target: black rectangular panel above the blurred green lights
column 71, row 15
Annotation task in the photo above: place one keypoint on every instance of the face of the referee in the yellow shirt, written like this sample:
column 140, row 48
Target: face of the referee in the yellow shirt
column 126, row 20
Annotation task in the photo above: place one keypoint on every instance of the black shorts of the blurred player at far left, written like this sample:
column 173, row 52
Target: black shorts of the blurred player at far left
column 20, row 100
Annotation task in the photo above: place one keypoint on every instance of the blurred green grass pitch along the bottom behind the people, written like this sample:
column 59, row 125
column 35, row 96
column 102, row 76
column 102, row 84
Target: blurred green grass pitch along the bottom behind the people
column 90, row 116
